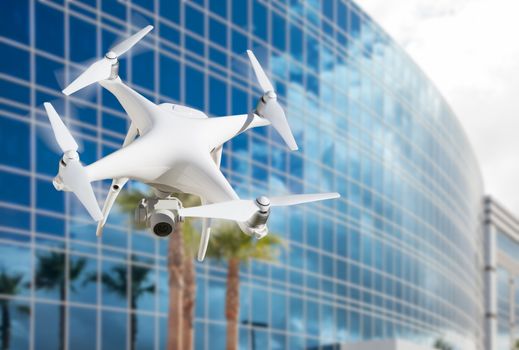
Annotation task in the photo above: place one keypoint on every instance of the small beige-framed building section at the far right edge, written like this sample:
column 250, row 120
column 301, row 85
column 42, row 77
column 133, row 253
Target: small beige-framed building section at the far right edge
column 502, row 277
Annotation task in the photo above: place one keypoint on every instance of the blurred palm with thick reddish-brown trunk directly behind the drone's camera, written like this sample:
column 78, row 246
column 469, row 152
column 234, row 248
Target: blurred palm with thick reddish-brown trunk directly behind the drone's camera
column 181, row 270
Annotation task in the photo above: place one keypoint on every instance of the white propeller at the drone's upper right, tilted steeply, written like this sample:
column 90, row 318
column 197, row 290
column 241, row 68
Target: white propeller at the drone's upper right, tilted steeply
column 273, row 110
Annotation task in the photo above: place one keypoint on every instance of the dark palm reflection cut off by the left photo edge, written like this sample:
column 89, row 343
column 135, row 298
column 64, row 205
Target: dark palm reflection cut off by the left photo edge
column 10, row 284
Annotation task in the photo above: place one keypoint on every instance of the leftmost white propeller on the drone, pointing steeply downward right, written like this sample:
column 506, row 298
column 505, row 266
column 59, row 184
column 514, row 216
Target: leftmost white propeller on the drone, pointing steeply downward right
column 72, row 174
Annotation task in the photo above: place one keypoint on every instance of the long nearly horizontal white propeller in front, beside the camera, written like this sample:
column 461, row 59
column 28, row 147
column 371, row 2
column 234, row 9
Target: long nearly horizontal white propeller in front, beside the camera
column 241, row 210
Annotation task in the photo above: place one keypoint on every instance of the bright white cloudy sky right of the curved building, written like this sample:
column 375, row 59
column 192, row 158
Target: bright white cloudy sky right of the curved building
column 470, row 50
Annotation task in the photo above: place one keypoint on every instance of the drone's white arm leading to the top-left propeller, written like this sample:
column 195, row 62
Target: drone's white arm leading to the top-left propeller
column 140, row 110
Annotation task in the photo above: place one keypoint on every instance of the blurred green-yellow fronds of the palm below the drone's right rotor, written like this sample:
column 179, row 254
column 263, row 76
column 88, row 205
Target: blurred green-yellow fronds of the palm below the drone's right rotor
column 228, row 241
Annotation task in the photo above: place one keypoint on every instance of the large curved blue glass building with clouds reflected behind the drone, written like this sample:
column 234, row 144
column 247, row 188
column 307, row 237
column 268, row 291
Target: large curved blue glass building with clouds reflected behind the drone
column 398, row 256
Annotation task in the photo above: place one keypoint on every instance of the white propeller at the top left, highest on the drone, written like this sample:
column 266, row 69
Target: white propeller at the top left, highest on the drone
column 102, row 69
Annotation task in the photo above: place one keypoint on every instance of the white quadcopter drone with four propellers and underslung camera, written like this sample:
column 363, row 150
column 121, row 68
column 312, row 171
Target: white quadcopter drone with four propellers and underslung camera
column 172, row 149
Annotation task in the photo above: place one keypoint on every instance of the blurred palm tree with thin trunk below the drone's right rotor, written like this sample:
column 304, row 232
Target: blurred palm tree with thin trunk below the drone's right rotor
column 231, row 245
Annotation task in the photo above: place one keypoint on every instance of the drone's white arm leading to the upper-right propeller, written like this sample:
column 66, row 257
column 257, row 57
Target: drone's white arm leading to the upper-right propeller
column 222, row 129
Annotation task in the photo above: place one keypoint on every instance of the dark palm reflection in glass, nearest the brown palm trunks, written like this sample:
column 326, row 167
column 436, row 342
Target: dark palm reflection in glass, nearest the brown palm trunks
column 117, row 281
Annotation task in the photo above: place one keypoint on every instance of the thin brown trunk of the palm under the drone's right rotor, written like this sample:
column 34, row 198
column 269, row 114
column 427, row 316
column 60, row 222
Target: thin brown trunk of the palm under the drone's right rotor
column 232, row 303
